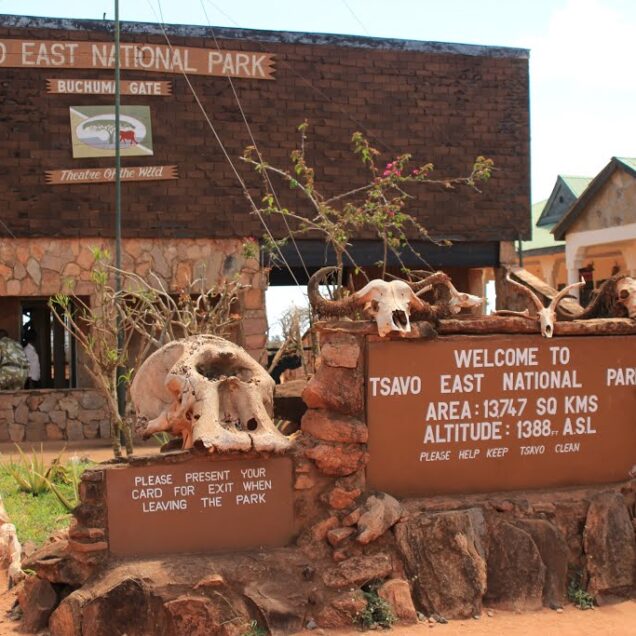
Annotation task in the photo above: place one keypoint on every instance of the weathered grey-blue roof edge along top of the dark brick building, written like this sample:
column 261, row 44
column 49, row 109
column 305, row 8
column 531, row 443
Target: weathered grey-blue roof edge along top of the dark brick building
column 273, row 37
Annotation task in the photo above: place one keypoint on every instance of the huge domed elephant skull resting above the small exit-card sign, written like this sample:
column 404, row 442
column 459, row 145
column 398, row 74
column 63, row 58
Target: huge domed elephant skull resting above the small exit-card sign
column 211, row 393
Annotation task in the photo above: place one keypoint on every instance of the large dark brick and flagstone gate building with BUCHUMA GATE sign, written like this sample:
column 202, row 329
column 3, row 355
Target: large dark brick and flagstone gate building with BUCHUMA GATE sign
column 184, row 210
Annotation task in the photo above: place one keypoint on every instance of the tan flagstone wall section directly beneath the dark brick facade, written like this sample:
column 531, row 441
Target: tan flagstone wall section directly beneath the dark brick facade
column 44, row 267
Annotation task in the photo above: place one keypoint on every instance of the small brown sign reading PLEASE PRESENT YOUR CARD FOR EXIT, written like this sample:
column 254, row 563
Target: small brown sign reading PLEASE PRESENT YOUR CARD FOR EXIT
column 200, row 506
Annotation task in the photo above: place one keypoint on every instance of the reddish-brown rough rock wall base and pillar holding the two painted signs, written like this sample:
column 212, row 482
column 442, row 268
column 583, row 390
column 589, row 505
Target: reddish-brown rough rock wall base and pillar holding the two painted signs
column 437, row 558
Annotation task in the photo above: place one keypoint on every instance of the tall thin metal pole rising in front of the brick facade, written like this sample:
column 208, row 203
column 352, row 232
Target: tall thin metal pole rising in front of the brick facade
column 121, row 393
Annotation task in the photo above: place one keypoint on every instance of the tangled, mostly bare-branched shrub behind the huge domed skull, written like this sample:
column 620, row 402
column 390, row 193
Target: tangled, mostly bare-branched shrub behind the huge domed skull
column 148, row 316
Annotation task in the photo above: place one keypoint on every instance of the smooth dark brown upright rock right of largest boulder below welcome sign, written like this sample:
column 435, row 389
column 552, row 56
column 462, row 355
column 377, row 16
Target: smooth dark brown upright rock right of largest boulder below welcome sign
column 516, row 573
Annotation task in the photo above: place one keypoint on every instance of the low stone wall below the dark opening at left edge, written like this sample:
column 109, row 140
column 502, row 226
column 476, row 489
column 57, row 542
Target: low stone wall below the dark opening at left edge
column 51, row 415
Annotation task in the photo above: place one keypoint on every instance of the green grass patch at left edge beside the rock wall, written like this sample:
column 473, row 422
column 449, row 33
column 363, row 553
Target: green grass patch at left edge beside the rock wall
column 35, row 517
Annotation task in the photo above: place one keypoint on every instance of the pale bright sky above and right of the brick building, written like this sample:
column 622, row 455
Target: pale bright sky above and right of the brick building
column 582, row 86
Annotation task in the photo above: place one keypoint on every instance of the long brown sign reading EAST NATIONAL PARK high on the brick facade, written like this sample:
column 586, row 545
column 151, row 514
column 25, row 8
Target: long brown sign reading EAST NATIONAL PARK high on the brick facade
column 154, row 58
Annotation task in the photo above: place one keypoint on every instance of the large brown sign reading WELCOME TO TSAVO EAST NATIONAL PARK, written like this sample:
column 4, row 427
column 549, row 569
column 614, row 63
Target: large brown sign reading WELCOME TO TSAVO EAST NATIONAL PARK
column 469, row 414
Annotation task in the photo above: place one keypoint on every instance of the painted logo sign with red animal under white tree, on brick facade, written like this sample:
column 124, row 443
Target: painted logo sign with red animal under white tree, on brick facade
column 93, row 131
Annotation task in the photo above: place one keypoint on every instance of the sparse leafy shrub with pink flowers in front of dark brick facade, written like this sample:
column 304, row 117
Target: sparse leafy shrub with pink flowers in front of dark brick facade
column 379, row 206
